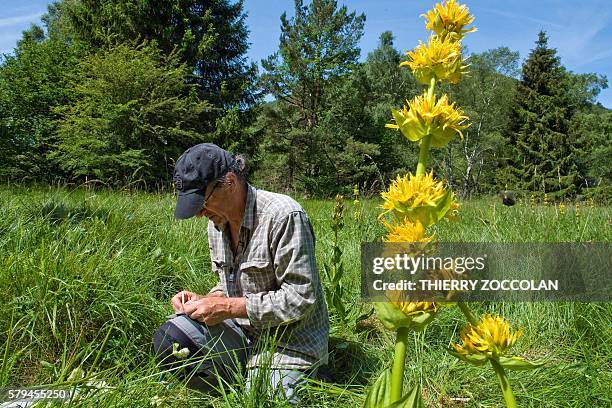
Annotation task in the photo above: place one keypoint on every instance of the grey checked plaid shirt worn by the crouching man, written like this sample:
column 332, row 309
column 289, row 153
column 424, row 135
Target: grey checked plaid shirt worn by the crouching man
column 275, row 269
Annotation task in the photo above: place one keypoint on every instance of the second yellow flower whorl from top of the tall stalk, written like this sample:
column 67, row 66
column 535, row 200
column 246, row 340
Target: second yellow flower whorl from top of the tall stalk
column 439, row 58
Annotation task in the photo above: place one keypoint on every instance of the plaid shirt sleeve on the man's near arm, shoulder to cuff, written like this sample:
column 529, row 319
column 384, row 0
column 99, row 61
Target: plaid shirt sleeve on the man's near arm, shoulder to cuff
column 292, row 244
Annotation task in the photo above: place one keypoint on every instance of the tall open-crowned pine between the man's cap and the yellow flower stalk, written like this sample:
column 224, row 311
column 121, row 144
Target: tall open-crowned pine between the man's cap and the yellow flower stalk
column 318, row 48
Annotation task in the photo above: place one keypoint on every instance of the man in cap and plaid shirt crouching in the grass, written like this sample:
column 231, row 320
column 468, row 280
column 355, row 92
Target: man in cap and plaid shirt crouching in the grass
column 267, row 313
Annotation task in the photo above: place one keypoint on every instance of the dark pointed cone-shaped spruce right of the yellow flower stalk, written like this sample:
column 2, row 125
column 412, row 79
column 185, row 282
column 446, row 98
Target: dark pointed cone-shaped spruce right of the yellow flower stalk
column 543, row 157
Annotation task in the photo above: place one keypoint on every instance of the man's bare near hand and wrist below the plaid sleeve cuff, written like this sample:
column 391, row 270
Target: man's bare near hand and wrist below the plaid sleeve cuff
column 212, row 310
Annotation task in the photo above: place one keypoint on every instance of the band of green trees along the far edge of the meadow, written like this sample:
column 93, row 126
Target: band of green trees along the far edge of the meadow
column 115, row 90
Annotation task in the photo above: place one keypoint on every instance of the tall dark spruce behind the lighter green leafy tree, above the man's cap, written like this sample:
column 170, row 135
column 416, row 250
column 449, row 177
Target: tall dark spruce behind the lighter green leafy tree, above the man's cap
column 211, row 37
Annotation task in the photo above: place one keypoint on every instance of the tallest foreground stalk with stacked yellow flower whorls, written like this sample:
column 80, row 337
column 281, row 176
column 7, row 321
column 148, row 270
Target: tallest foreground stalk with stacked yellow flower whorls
column 414, row 203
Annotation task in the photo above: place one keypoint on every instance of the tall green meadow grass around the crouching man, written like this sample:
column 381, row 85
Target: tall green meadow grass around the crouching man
column 86, row 277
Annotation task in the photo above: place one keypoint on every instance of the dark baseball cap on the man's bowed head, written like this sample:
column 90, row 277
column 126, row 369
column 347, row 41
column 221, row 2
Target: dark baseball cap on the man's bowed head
column 194, row 170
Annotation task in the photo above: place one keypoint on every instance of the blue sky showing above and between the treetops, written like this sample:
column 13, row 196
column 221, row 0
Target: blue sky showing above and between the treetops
column 580, row 31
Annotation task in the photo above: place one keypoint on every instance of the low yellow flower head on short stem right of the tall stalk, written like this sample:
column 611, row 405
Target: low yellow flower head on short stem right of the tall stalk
column 492, row 337
